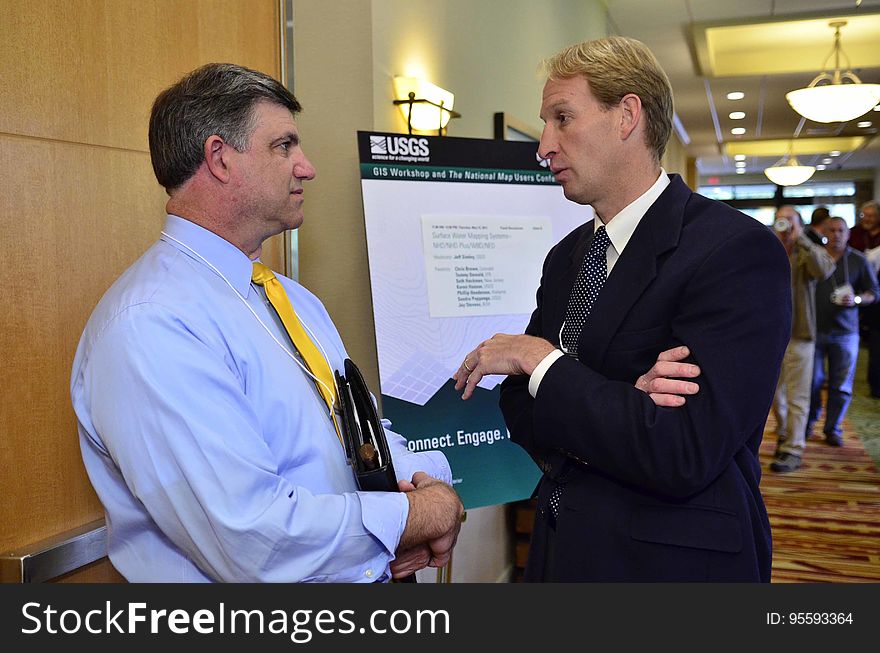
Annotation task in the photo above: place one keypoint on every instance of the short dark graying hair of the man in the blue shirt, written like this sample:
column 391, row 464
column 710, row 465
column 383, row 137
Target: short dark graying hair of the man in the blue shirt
column 216, row 99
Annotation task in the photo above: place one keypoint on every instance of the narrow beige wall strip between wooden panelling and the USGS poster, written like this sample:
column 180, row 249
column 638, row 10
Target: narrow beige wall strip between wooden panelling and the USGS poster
column 332, row 78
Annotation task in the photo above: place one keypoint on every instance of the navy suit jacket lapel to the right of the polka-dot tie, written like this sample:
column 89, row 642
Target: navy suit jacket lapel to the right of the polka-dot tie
column 657, row 232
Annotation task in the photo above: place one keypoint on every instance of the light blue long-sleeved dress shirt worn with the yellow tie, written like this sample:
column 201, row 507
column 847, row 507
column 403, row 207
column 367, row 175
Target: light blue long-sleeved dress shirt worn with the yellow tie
column 211, row 450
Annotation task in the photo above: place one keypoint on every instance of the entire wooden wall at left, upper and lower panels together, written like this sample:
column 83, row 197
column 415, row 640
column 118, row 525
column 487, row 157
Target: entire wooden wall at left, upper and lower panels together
column 78, row 203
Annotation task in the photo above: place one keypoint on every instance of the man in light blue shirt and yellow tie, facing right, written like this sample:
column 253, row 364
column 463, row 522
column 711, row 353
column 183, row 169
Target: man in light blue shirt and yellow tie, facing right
column 208, row 443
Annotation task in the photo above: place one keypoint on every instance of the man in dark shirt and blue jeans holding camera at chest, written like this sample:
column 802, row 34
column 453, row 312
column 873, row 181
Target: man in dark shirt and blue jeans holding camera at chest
column 852, row 284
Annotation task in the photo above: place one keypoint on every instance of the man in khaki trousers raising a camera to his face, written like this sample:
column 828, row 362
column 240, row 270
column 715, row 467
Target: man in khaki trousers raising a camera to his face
column 809, row 263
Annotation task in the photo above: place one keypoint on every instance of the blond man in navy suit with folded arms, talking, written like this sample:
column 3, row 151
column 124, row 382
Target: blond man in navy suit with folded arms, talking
column 635, row 489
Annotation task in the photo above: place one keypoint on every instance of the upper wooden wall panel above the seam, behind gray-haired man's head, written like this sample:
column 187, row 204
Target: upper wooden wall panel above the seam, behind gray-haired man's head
column 88, row 71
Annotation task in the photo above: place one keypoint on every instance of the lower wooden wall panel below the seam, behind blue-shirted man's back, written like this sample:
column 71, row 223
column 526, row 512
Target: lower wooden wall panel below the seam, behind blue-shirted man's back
column 66, row 237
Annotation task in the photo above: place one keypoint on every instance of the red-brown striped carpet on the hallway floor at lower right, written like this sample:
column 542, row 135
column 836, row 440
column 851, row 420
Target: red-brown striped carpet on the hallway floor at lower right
column 825, row 516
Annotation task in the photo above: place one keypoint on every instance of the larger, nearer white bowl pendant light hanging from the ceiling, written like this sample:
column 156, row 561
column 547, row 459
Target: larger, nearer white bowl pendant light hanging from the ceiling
column 835, row 101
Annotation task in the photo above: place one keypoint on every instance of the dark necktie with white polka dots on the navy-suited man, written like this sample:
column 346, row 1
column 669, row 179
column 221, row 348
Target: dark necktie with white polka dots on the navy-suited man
column 590, row 279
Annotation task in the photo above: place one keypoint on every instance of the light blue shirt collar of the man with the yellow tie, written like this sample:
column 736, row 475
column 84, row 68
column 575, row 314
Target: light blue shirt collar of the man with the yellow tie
column 208, row 249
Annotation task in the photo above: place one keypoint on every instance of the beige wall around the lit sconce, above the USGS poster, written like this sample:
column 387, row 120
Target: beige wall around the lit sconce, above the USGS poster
column 486, row 52
